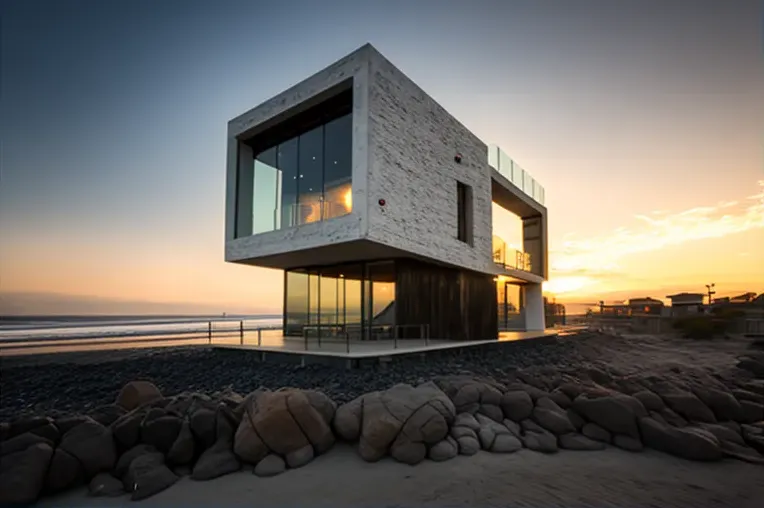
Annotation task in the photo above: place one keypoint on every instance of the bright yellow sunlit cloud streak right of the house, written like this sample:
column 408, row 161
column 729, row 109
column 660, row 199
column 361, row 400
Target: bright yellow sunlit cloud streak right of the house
column 579, row 263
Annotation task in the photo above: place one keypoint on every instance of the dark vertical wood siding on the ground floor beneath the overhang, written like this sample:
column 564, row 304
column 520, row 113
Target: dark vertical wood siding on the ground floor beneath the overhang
column 456, row 304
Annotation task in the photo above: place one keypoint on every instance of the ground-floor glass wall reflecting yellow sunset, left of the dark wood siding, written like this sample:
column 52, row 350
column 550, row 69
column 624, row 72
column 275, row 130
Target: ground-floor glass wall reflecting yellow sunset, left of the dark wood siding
column 355, row 299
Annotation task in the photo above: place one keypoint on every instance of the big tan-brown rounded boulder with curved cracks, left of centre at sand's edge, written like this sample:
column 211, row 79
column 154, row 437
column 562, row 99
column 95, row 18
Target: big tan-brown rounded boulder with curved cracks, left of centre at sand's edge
column 286, row 422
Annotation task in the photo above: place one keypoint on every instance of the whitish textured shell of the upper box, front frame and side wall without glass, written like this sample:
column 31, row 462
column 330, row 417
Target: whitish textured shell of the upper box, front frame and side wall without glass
column 404, row 145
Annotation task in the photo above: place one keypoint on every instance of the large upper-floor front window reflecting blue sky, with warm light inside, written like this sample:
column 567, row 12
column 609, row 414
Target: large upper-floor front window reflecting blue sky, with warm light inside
column 304, row 179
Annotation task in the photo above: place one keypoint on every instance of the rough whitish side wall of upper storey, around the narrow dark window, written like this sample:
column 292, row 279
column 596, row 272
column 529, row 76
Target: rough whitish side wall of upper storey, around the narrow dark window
column 412, row 143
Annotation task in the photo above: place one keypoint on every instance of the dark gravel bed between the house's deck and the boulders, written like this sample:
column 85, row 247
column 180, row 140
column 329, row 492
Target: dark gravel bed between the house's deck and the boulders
column 59, row 388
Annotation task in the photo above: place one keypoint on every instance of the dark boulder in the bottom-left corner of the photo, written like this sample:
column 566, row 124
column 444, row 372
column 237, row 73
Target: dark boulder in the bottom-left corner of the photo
column 23, row 472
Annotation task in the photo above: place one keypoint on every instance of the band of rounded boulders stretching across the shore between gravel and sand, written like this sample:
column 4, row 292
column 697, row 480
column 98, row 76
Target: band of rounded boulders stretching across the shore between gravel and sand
column 143, row 442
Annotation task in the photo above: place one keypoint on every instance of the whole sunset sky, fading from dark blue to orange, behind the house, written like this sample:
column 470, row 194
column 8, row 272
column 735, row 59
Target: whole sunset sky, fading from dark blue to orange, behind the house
column 642, row 119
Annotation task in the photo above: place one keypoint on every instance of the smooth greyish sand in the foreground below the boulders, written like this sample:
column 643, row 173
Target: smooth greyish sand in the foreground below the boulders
column 572, row 479
